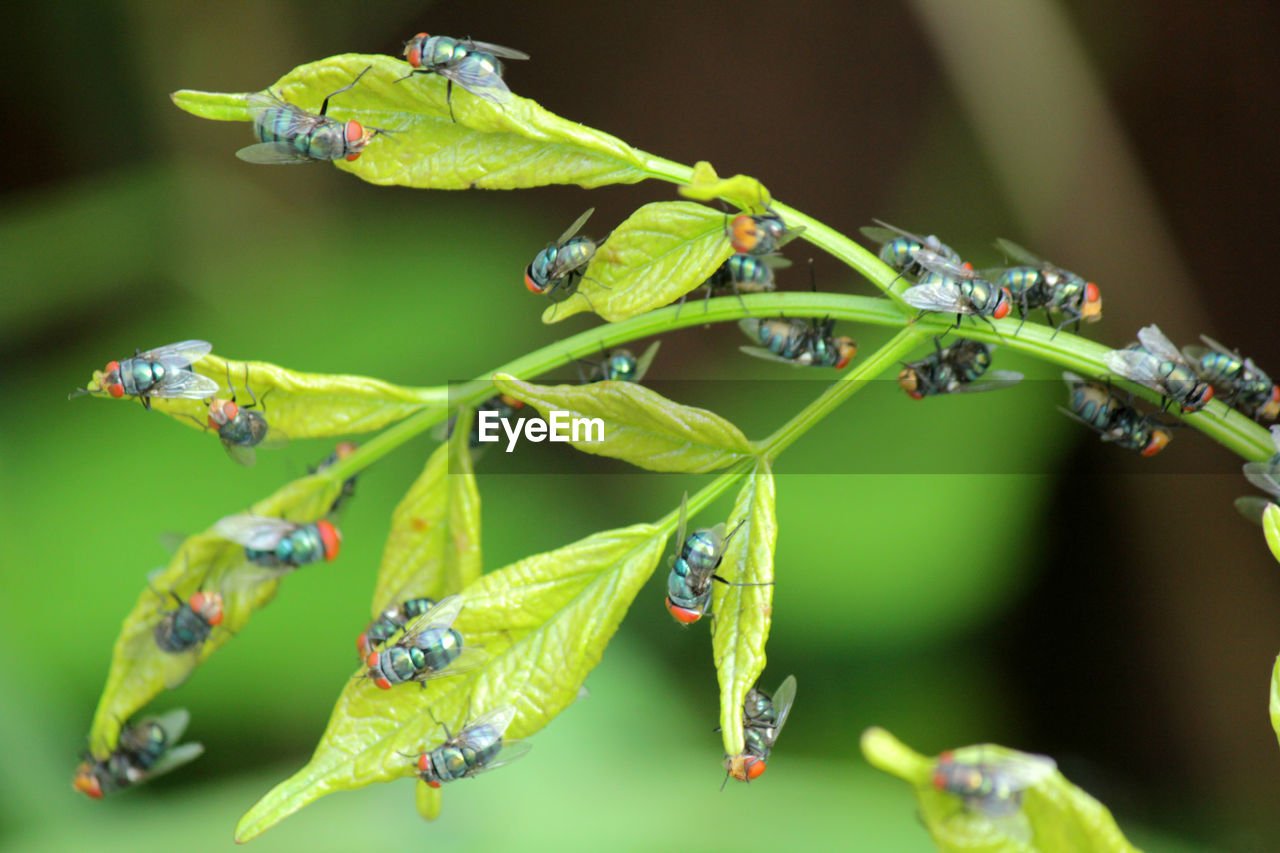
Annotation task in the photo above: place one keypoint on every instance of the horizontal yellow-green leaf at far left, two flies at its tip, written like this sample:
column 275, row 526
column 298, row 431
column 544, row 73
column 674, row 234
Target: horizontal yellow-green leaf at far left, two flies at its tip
column 298, row 405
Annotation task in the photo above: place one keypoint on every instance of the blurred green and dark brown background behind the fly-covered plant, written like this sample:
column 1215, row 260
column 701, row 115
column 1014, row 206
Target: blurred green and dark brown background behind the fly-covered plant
column 1028, row 586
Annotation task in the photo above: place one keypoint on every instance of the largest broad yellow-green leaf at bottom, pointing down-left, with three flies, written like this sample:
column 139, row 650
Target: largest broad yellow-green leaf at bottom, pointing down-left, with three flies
column 543, row 624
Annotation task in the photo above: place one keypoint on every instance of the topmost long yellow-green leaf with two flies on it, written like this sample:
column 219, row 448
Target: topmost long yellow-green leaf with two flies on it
column 492, row 148
